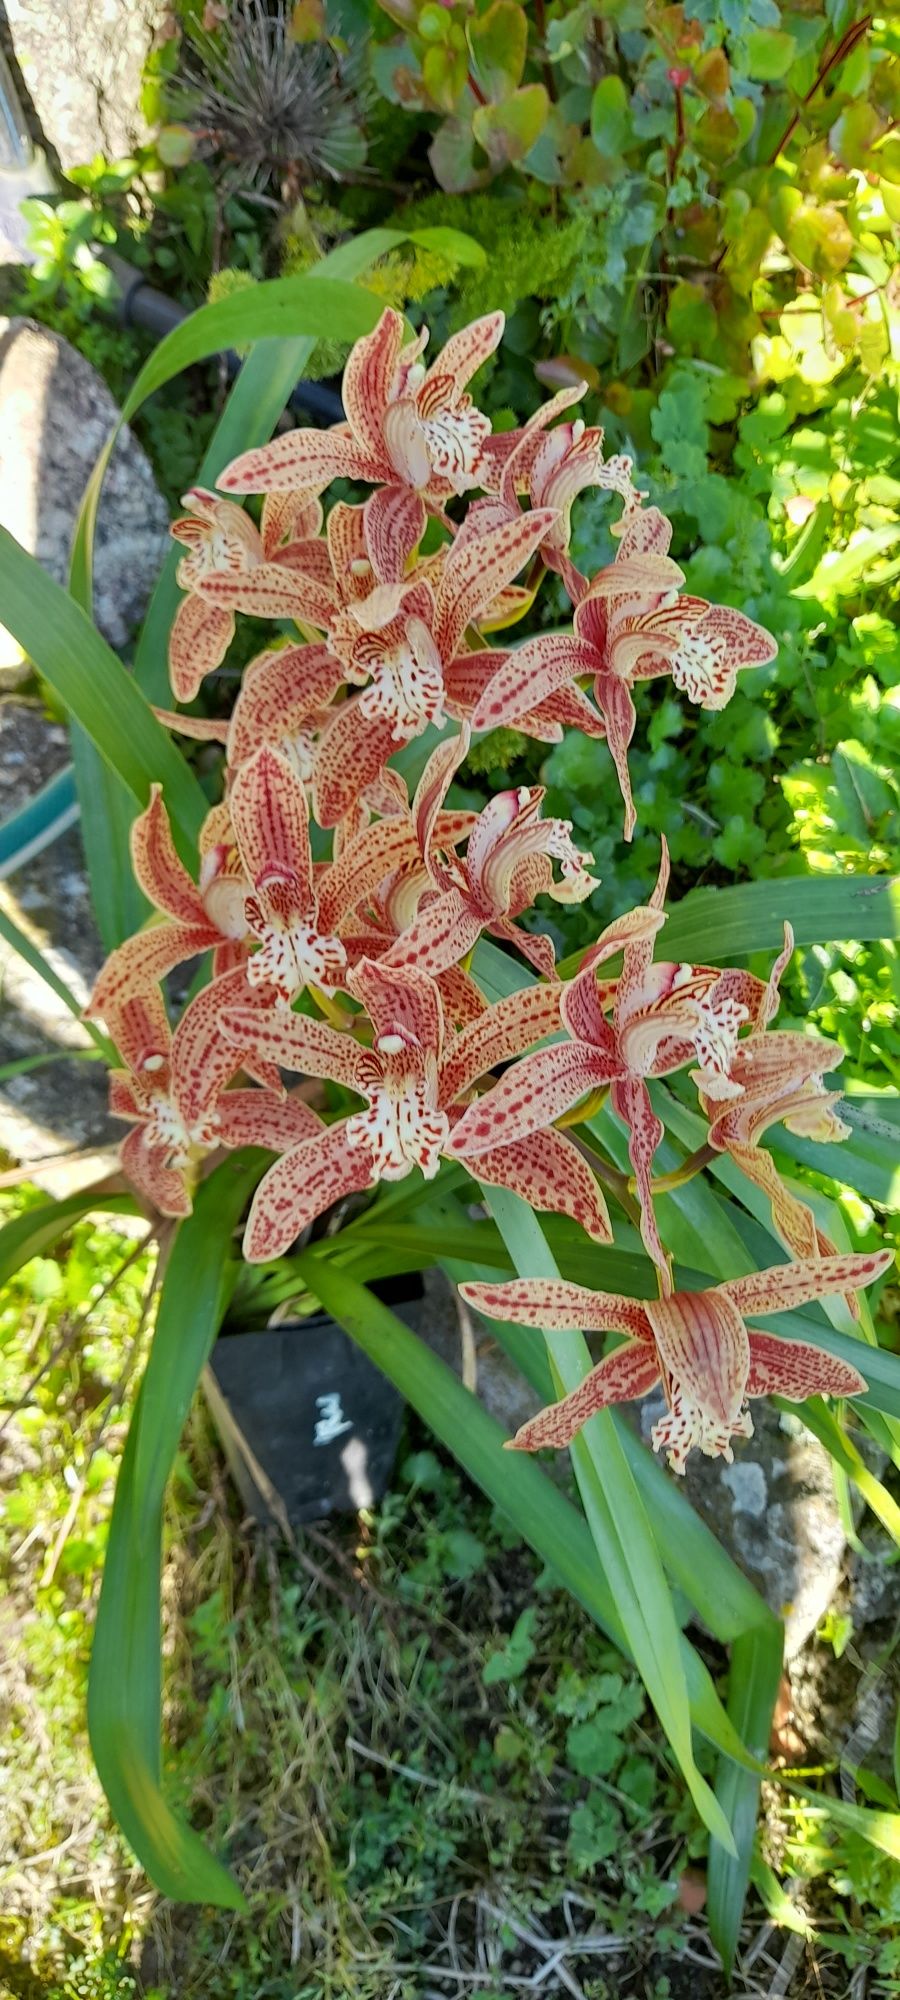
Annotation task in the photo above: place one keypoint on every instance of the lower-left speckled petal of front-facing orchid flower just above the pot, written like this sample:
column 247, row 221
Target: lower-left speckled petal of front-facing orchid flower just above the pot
column 301, row 1187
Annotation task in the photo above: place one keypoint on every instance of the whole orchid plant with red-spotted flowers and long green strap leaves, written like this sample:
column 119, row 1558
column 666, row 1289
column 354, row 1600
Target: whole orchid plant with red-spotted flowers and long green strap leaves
column 351, row 925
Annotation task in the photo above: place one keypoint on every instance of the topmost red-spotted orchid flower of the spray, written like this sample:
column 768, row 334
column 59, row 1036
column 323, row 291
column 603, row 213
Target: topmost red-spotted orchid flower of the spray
column 407, row 425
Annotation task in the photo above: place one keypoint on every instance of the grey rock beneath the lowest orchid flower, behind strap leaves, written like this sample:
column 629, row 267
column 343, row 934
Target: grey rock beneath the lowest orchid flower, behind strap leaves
column 775, row 1513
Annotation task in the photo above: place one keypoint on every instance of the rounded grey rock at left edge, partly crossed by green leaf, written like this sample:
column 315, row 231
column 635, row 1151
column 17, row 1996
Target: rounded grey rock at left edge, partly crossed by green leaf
column 55, row 419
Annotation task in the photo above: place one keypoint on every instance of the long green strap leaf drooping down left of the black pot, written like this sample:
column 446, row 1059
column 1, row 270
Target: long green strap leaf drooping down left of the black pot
column 125, row 1699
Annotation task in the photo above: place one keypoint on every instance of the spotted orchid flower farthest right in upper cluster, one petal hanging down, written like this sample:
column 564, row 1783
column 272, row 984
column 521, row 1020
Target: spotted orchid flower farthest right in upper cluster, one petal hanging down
column 631, row 625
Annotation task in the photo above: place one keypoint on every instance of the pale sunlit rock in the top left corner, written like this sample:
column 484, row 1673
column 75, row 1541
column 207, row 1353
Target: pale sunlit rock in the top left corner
column 81, row 65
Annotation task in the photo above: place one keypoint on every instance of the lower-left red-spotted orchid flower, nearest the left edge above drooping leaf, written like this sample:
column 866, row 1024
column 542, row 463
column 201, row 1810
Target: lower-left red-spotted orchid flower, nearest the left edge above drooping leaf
column 173, row 1091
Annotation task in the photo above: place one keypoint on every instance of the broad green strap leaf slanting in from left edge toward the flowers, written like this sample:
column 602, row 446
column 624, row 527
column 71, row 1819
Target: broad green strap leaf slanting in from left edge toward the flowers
column 95, row 689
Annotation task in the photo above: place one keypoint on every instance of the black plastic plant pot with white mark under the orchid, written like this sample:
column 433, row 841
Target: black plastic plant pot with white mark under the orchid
column 307, row 1423
